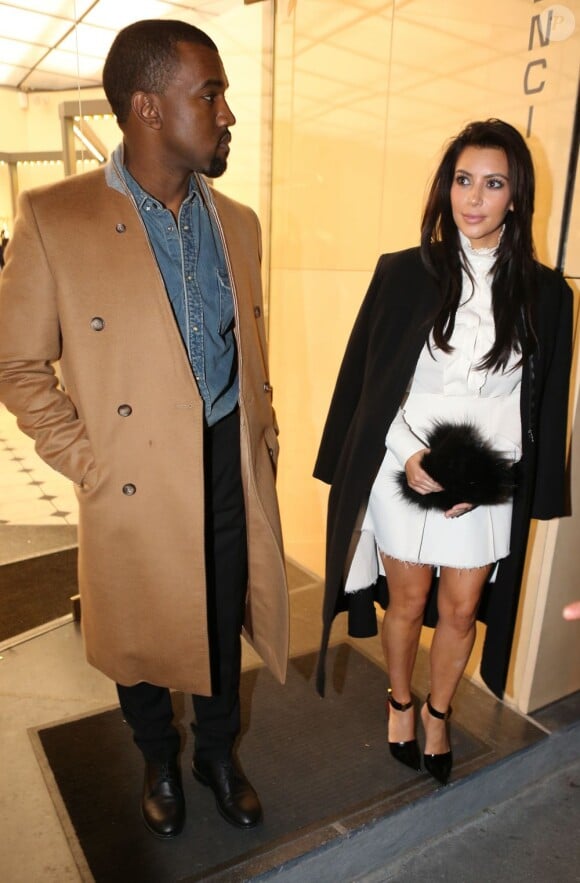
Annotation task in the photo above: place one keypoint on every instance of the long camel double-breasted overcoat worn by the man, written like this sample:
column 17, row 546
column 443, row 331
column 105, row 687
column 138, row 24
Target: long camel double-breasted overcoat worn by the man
column 81, row 286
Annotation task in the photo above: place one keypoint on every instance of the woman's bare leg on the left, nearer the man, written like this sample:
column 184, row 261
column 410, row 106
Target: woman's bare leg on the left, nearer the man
column 408, row 589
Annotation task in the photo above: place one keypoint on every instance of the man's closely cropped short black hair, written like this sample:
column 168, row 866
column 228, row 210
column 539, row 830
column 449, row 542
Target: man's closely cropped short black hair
column 143, row 58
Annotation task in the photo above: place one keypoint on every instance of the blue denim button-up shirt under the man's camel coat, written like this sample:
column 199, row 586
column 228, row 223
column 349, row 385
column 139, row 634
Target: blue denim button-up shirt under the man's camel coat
column 192, row 263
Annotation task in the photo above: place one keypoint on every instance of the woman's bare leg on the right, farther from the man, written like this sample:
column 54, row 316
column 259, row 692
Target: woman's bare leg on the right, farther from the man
column 458, row 600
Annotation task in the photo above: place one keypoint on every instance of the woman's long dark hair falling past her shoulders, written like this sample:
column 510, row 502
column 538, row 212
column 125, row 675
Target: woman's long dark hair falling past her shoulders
column 513, row 275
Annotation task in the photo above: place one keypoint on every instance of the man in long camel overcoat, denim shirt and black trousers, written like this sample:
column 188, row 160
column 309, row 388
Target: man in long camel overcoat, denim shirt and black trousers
column 144, row 284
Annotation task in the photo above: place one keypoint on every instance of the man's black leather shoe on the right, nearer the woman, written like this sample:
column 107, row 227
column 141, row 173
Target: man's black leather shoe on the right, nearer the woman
column 236, row 800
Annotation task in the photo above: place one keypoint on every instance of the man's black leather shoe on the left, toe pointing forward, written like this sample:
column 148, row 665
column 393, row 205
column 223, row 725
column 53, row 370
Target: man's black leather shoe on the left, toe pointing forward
column 163, row 806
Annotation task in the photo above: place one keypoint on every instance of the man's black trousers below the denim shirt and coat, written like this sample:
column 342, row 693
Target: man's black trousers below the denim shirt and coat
column 147, row 708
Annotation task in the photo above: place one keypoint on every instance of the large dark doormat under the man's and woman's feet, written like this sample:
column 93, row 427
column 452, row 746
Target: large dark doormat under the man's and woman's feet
column 321, row 767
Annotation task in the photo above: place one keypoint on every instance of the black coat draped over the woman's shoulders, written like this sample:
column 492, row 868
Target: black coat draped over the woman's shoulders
column 391, row 329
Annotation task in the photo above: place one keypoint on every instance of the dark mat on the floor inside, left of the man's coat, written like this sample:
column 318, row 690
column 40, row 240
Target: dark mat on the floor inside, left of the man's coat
column 36, row 591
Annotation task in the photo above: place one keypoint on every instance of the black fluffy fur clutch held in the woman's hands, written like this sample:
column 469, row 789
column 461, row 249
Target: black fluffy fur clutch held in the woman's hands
column 466, row 466
